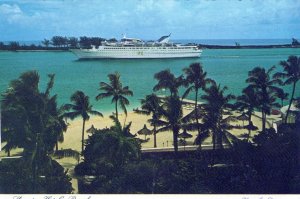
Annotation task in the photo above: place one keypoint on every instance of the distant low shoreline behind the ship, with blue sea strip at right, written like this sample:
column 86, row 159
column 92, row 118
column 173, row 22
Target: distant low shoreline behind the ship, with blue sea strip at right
column 60, row 43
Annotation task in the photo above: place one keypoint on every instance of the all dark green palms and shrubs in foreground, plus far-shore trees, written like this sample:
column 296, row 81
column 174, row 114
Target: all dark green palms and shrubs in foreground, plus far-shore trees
column 111, row 158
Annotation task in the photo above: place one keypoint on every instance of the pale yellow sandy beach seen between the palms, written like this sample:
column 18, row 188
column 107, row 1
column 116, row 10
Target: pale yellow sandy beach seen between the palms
column 72, row 137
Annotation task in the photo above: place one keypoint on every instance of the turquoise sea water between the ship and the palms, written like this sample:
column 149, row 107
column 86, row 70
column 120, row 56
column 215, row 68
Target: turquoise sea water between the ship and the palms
column 228, row 67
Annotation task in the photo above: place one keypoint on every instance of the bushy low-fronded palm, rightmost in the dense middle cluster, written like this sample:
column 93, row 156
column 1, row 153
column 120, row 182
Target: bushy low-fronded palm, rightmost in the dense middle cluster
column 216, row 107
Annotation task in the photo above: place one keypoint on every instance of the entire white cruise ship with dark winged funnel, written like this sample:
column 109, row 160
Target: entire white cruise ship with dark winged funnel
column 132, row 48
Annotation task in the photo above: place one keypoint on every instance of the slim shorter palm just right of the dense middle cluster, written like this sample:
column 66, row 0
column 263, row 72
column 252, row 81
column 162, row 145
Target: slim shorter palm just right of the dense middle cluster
column 248, row 101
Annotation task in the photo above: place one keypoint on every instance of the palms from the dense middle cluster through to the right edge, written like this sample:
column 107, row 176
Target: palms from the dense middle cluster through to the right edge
column 215, row 113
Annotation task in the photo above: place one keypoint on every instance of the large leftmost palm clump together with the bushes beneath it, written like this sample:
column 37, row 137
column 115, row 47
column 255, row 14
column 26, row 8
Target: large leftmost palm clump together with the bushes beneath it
column 31, row 120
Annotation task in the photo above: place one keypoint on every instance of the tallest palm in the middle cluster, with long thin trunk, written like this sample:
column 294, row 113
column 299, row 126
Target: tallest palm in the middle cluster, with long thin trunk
column 196, row 78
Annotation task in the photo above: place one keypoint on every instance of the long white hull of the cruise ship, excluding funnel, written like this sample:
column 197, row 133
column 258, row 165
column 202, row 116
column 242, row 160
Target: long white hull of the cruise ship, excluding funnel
column 137, row 52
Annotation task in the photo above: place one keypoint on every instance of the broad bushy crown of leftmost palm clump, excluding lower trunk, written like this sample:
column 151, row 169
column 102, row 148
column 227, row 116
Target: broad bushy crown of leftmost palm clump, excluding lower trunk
column 33, row 111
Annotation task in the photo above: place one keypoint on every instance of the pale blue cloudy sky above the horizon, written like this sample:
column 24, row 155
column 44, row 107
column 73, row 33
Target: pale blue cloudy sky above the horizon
column 151, row 18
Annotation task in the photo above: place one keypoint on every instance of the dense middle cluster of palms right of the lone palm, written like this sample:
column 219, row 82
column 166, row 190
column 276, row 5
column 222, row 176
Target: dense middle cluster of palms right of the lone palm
column 167, row 112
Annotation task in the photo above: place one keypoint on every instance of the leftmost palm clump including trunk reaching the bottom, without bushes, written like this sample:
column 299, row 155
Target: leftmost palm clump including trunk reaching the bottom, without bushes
column 32, row 120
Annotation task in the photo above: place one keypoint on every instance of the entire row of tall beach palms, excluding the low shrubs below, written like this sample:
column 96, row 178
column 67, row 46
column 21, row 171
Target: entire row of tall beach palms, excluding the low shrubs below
column 36, row 113
